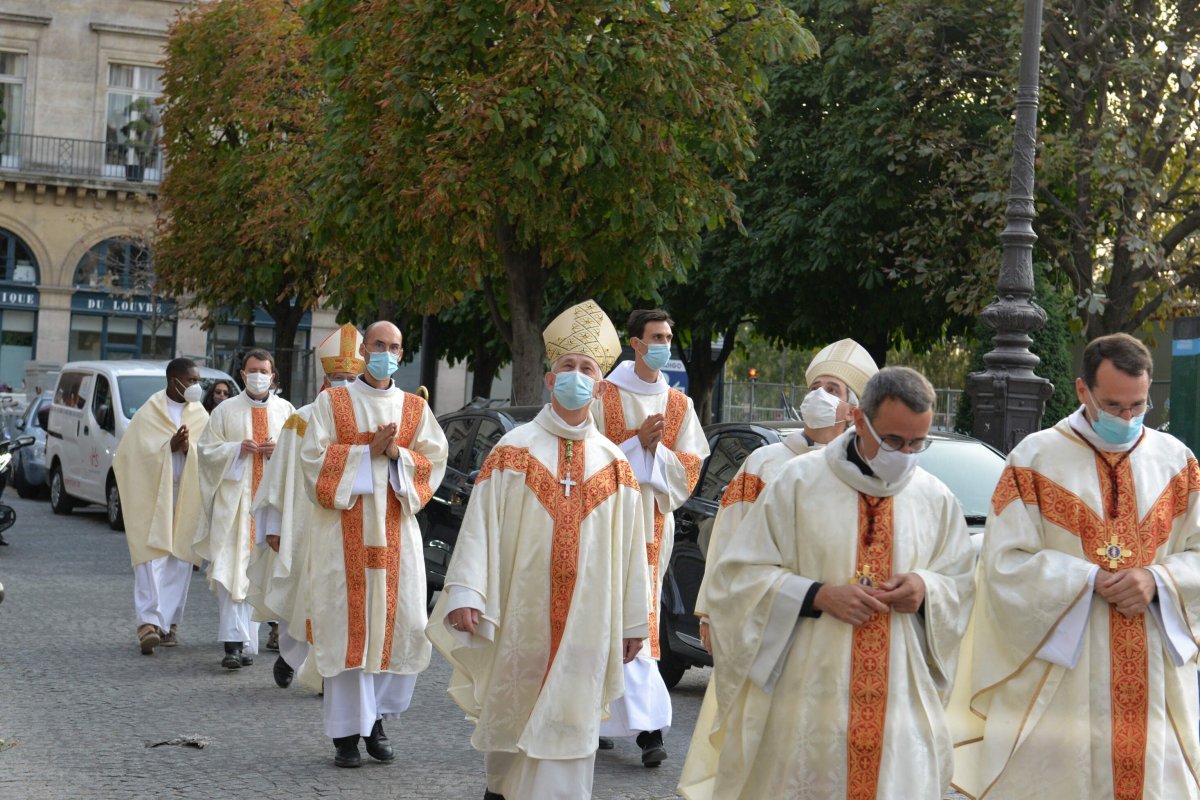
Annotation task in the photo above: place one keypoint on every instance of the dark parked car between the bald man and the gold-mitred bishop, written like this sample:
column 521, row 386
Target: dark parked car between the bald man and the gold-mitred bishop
column 471, row 434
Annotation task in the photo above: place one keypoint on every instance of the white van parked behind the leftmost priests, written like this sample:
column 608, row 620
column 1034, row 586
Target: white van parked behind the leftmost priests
column 94, row 402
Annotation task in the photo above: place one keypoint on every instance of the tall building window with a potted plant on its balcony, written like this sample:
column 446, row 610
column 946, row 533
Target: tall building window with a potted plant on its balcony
column 133, row 123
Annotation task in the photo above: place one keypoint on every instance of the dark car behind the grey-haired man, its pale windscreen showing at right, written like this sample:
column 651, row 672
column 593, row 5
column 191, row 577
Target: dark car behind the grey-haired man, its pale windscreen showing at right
column 969, row 467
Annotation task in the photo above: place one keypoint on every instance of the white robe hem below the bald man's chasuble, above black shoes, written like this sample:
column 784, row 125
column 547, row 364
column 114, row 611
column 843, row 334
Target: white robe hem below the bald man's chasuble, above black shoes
column 355, row 700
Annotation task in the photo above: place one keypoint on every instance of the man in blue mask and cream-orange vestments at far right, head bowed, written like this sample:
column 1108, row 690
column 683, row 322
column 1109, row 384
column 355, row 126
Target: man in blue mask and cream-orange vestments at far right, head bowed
column 1079, row 672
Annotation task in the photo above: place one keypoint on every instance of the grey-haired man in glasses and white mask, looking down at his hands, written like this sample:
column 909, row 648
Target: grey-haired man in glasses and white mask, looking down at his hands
column 837, row 610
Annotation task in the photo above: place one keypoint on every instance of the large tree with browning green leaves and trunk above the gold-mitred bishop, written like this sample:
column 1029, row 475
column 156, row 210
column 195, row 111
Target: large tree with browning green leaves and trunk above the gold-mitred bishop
column 493, row 146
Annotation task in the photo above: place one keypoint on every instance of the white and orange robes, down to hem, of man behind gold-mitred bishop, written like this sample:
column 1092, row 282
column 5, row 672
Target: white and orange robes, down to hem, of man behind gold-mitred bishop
column 668, row 476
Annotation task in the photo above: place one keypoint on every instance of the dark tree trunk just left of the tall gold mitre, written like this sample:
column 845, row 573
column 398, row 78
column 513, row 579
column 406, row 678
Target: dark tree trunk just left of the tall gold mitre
column 527, row 287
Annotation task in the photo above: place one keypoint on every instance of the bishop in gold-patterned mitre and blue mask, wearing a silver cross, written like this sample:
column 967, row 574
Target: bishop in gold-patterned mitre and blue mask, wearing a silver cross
column 547, row 592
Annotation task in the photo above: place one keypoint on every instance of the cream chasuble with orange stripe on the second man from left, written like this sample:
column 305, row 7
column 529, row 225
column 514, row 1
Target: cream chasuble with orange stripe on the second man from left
column 229, row 482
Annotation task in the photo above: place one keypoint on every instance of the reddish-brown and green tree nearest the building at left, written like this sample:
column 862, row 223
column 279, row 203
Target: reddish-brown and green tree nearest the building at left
column 242, row 117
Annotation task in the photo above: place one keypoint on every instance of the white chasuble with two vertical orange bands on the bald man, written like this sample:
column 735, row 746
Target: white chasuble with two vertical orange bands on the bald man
column 367, row 592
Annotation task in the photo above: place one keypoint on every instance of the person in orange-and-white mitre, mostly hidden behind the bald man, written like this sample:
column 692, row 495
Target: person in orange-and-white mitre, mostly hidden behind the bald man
column 279, row 566
